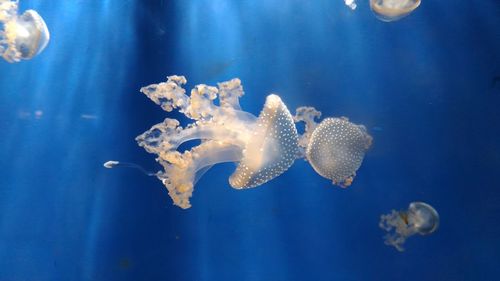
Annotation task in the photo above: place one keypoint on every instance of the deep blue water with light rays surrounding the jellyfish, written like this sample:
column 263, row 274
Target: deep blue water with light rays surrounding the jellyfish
column 424, row 87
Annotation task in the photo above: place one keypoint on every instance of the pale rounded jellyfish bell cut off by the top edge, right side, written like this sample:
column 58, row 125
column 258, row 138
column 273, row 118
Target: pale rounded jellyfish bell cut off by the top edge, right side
column 392, row 10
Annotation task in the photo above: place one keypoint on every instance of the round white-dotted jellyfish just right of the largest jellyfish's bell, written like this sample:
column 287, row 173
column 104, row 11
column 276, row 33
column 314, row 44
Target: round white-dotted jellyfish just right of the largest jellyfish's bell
column 335, row 147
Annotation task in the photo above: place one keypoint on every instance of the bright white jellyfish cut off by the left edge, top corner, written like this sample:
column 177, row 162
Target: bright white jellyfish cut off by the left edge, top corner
column 21, row 36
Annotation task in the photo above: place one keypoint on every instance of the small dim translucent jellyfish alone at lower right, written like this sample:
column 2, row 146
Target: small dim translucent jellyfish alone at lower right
column 420, row 218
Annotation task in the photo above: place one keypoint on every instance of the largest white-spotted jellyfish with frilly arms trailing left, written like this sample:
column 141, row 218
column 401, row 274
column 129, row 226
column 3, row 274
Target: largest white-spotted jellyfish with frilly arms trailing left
column 264, row 146
